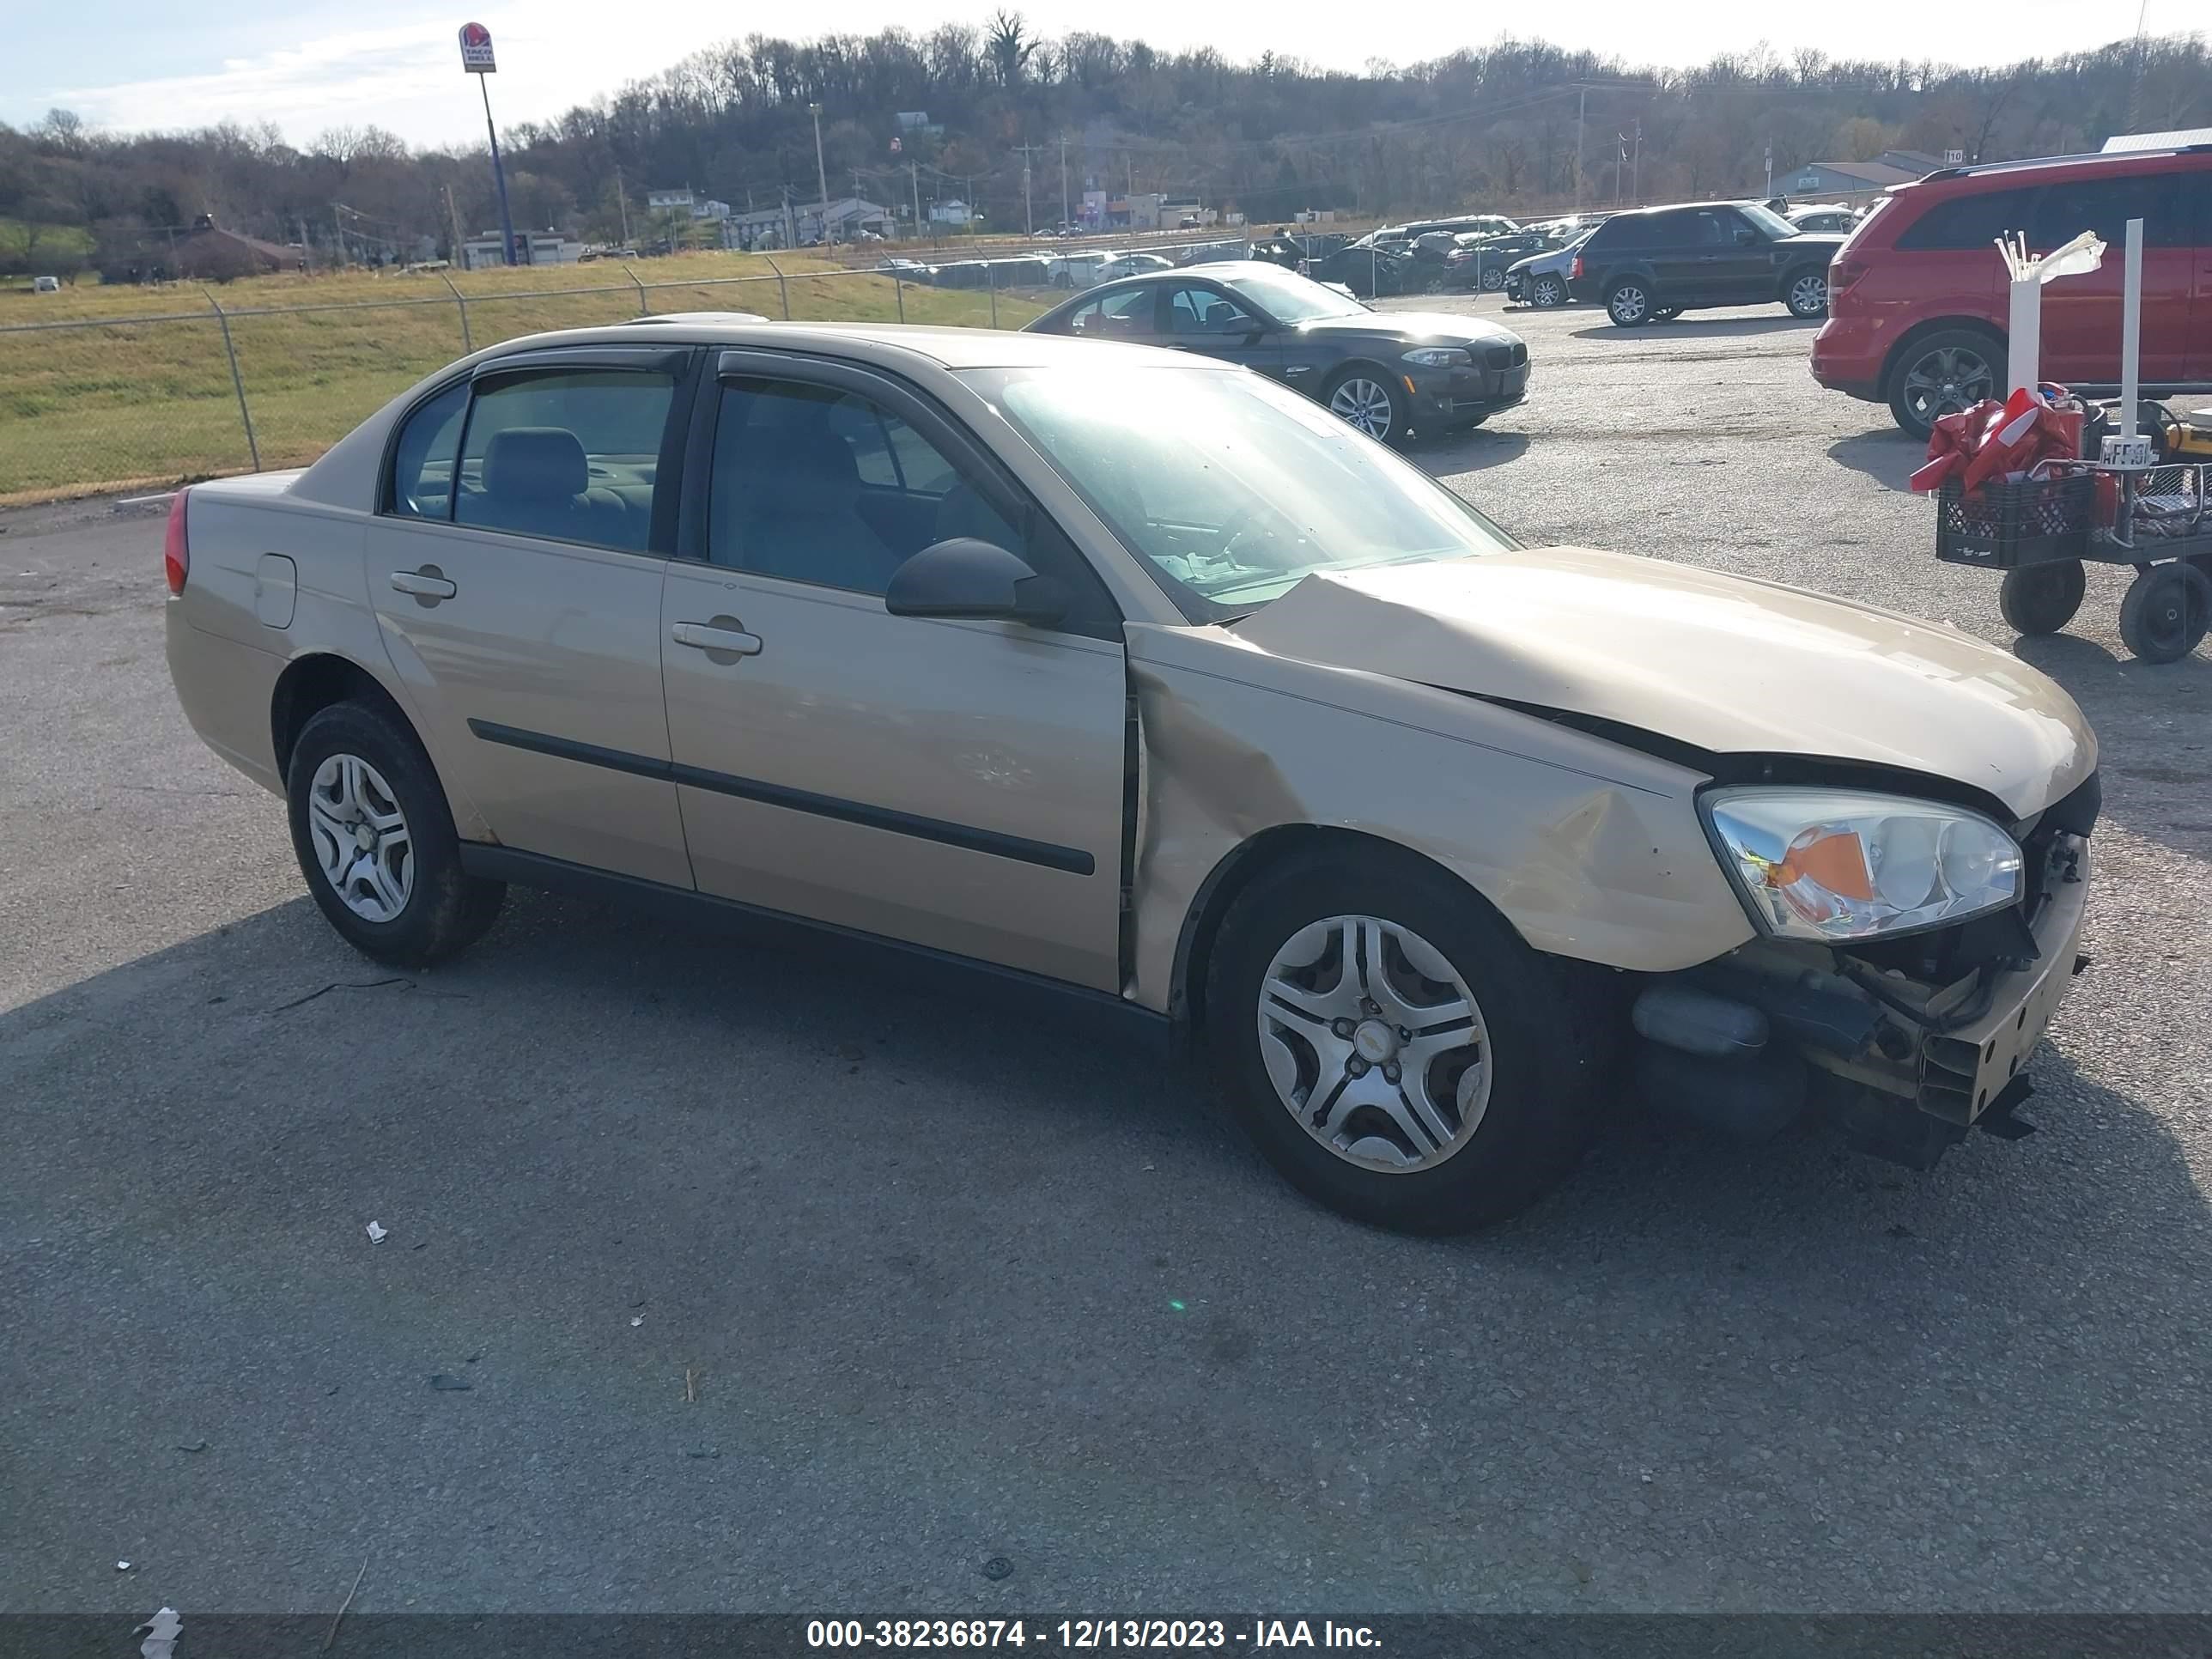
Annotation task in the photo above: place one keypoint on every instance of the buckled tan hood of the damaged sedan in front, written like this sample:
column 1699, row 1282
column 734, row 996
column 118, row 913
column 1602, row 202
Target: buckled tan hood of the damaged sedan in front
column 1720, row 662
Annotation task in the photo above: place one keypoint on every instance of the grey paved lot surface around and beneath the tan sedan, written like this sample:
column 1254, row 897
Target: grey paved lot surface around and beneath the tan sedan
column 952, row 1280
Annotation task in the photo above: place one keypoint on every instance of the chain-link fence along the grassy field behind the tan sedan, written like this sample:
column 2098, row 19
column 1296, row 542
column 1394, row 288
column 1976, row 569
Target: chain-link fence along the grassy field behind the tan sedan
column 185, row 384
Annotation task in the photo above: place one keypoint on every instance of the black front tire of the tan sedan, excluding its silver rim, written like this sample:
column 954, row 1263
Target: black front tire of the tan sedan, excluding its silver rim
column 1543, row 1061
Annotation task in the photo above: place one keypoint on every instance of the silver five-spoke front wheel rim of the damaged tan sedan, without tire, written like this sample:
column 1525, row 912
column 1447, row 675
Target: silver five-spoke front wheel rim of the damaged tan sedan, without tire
column 1375, row 1043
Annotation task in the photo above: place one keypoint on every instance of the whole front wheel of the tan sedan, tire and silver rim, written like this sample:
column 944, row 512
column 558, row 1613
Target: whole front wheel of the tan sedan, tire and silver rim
column 1392, row 1047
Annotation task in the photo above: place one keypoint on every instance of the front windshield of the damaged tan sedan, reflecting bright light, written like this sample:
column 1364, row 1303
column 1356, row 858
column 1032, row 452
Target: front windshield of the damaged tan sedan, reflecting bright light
column 1229, row 488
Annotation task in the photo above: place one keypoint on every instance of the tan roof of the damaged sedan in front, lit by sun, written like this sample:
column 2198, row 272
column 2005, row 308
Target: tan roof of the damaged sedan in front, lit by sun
column 884, row 344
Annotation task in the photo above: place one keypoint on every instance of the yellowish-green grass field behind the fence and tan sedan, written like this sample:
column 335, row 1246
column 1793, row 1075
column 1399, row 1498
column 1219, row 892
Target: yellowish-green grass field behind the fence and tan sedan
column 145, row 399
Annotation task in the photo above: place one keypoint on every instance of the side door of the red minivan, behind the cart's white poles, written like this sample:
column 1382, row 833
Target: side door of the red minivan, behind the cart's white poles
column 2083, row 313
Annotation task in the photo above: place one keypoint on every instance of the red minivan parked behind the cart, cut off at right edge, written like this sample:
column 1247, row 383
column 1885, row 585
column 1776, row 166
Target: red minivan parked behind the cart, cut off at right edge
column 1917, row 300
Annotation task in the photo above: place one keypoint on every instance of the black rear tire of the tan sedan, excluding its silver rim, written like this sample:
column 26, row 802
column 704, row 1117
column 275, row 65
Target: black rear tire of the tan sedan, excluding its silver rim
column 446, row 910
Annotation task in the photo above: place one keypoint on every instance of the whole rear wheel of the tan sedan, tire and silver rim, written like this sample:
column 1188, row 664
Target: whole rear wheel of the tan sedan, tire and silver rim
column 377, row 846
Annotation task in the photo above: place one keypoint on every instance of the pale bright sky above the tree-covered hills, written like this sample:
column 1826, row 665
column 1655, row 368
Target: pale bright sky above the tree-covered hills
column 309, row 65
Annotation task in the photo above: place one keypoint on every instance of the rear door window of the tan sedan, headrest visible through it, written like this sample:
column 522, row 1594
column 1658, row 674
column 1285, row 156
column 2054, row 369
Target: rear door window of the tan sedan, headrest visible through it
column 572, row 457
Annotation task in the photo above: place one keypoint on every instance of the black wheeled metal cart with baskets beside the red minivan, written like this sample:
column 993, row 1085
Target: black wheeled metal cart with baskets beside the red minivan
column 2043, row 528
